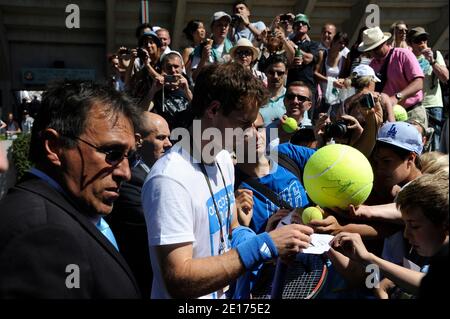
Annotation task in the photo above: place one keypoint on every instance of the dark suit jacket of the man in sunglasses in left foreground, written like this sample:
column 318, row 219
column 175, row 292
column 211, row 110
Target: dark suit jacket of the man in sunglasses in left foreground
column 49, row 249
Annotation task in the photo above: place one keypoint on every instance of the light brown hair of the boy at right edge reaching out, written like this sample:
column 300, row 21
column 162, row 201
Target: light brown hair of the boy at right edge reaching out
column 428, row 192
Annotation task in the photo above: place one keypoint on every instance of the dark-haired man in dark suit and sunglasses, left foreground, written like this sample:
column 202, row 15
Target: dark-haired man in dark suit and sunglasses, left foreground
column 54, row 242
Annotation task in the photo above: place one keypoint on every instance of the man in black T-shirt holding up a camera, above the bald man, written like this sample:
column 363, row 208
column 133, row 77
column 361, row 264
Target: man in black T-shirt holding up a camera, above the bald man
column 171, row 97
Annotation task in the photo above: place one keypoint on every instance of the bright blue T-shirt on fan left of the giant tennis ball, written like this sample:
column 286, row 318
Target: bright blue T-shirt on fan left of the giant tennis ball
column 284, row 183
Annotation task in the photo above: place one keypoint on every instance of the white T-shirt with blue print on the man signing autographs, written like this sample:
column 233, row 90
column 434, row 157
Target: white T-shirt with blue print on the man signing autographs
column 178, row 208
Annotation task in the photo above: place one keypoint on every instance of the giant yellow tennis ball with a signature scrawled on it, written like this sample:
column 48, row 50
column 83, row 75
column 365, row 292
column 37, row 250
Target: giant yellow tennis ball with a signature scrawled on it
column 338, row 175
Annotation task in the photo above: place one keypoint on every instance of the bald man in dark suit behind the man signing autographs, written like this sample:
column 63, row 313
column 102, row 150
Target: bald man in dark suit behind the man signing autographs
column 127, row 218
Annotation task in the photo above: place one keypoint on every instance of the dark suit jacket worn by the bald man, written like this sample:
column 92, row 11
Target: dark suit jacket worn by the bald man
column 128, row 224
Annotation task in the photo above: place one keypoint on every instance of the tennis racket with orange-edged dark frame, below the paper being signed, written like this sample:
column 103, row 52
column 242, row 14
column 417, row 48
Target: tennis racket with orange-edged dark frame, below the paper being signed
column 303, row 279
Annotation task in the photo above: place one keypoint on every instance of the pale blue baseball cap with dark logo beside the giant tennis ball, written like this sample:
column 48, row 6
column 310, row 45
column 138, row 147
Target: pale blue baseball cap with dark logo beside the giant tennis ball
column 402, row 135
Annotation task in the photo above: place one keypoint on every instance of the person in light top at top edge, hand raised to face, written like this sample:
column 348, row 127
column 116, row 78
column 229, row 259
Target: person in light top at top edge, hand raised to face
column 241, row 25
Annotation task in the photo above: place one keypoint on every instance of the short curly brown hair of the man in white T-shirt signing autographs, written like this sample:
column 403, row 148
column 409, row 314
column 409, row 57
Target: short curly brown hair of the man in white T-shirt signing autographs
column 233, row 85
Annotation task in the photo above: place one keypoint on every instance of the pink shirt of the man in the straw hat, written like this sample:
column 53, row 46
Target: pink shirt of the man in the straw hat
column 403, row 68
